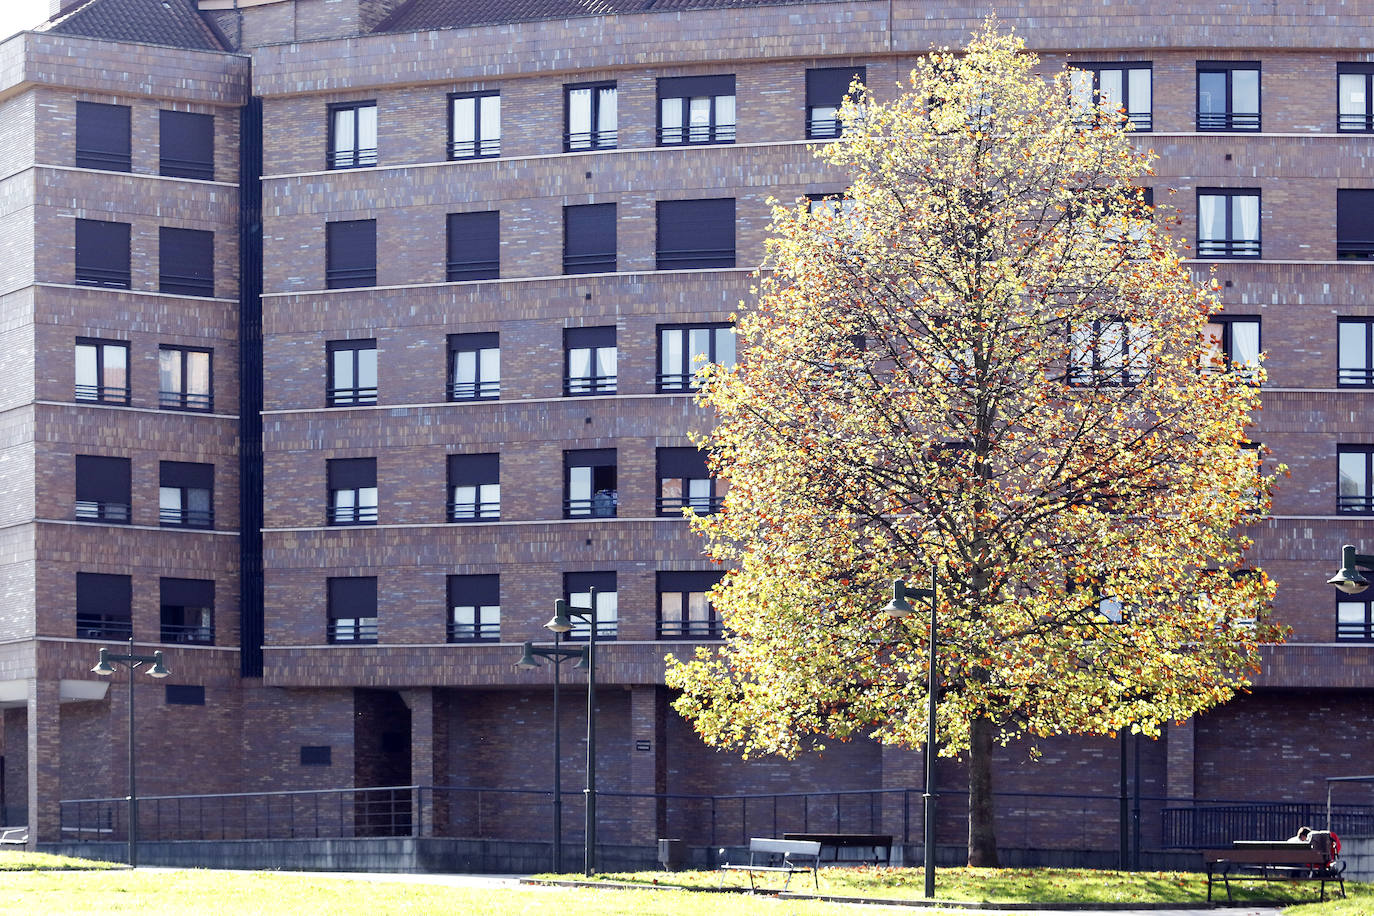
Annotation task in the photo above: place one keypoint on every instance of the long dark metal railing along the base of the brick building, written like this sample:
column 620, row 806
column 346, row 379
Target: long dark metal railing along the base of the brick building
column 1049, row 822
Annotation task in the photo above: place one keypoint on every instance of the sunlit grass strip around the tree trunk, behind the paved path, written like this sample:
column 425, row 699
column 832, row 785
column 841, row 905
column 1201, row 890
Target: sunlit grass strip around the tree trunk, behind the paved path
column 1022, row 885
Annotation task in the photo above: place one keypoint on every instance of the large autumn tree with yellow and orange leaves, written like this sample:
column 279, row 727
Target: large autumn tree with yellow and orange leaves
column 987, row 359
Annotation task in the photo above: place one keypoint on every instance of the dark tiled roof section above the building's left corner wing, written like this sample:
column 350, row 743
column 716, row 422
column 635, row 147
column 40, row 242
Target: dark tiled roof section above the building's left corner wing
column 168, row 23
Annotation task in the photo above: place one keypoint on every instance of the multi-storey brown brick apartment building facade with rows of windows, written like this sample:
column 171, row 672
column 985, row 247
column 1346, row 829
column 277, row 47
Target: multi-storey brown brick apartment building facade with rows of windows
column 343, row 145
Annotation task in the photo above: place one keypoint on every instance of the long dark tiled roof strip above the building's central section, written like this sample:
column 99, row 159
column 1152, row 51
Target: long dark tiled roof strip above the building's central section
column 451, row 14
